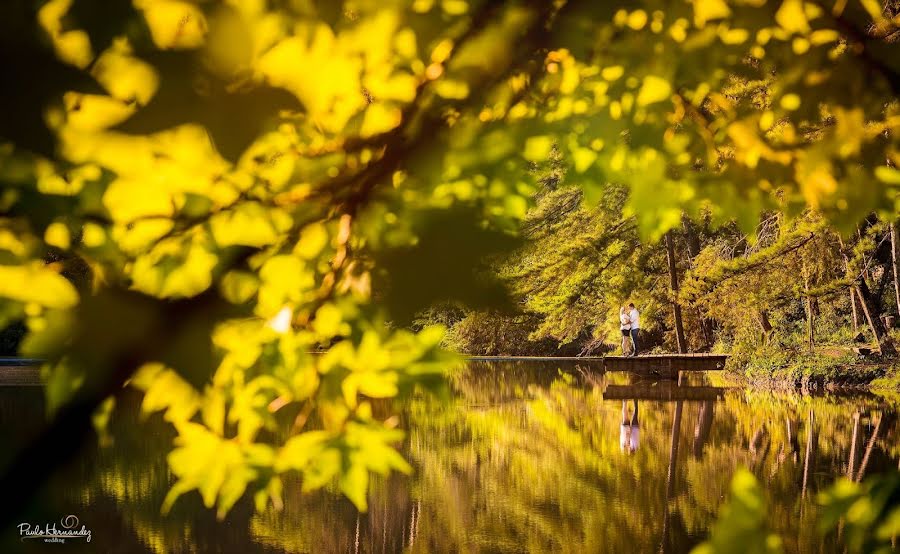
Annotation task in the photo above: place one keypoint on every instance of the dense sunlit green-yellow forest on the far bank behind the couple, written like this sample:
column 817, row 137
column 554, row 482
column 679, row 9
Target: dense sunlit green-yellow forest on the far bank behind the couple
column 794, row 292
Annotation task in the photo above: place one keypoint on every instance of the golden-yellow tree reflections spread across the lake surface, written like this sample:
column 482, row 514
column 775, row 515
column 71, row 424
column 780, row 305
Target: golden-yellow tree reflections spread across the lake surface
column 527, row 458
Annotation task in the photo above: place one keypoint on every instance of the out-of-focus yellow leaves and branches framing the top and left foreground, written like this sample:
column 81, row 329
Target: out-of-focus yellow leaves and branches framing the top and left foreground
column 201, row 194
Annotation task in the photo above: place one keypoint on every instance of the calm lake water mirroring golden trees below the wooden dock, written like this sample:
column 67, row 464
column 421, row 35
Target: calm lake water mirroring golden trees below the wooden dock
column 534, row 457
